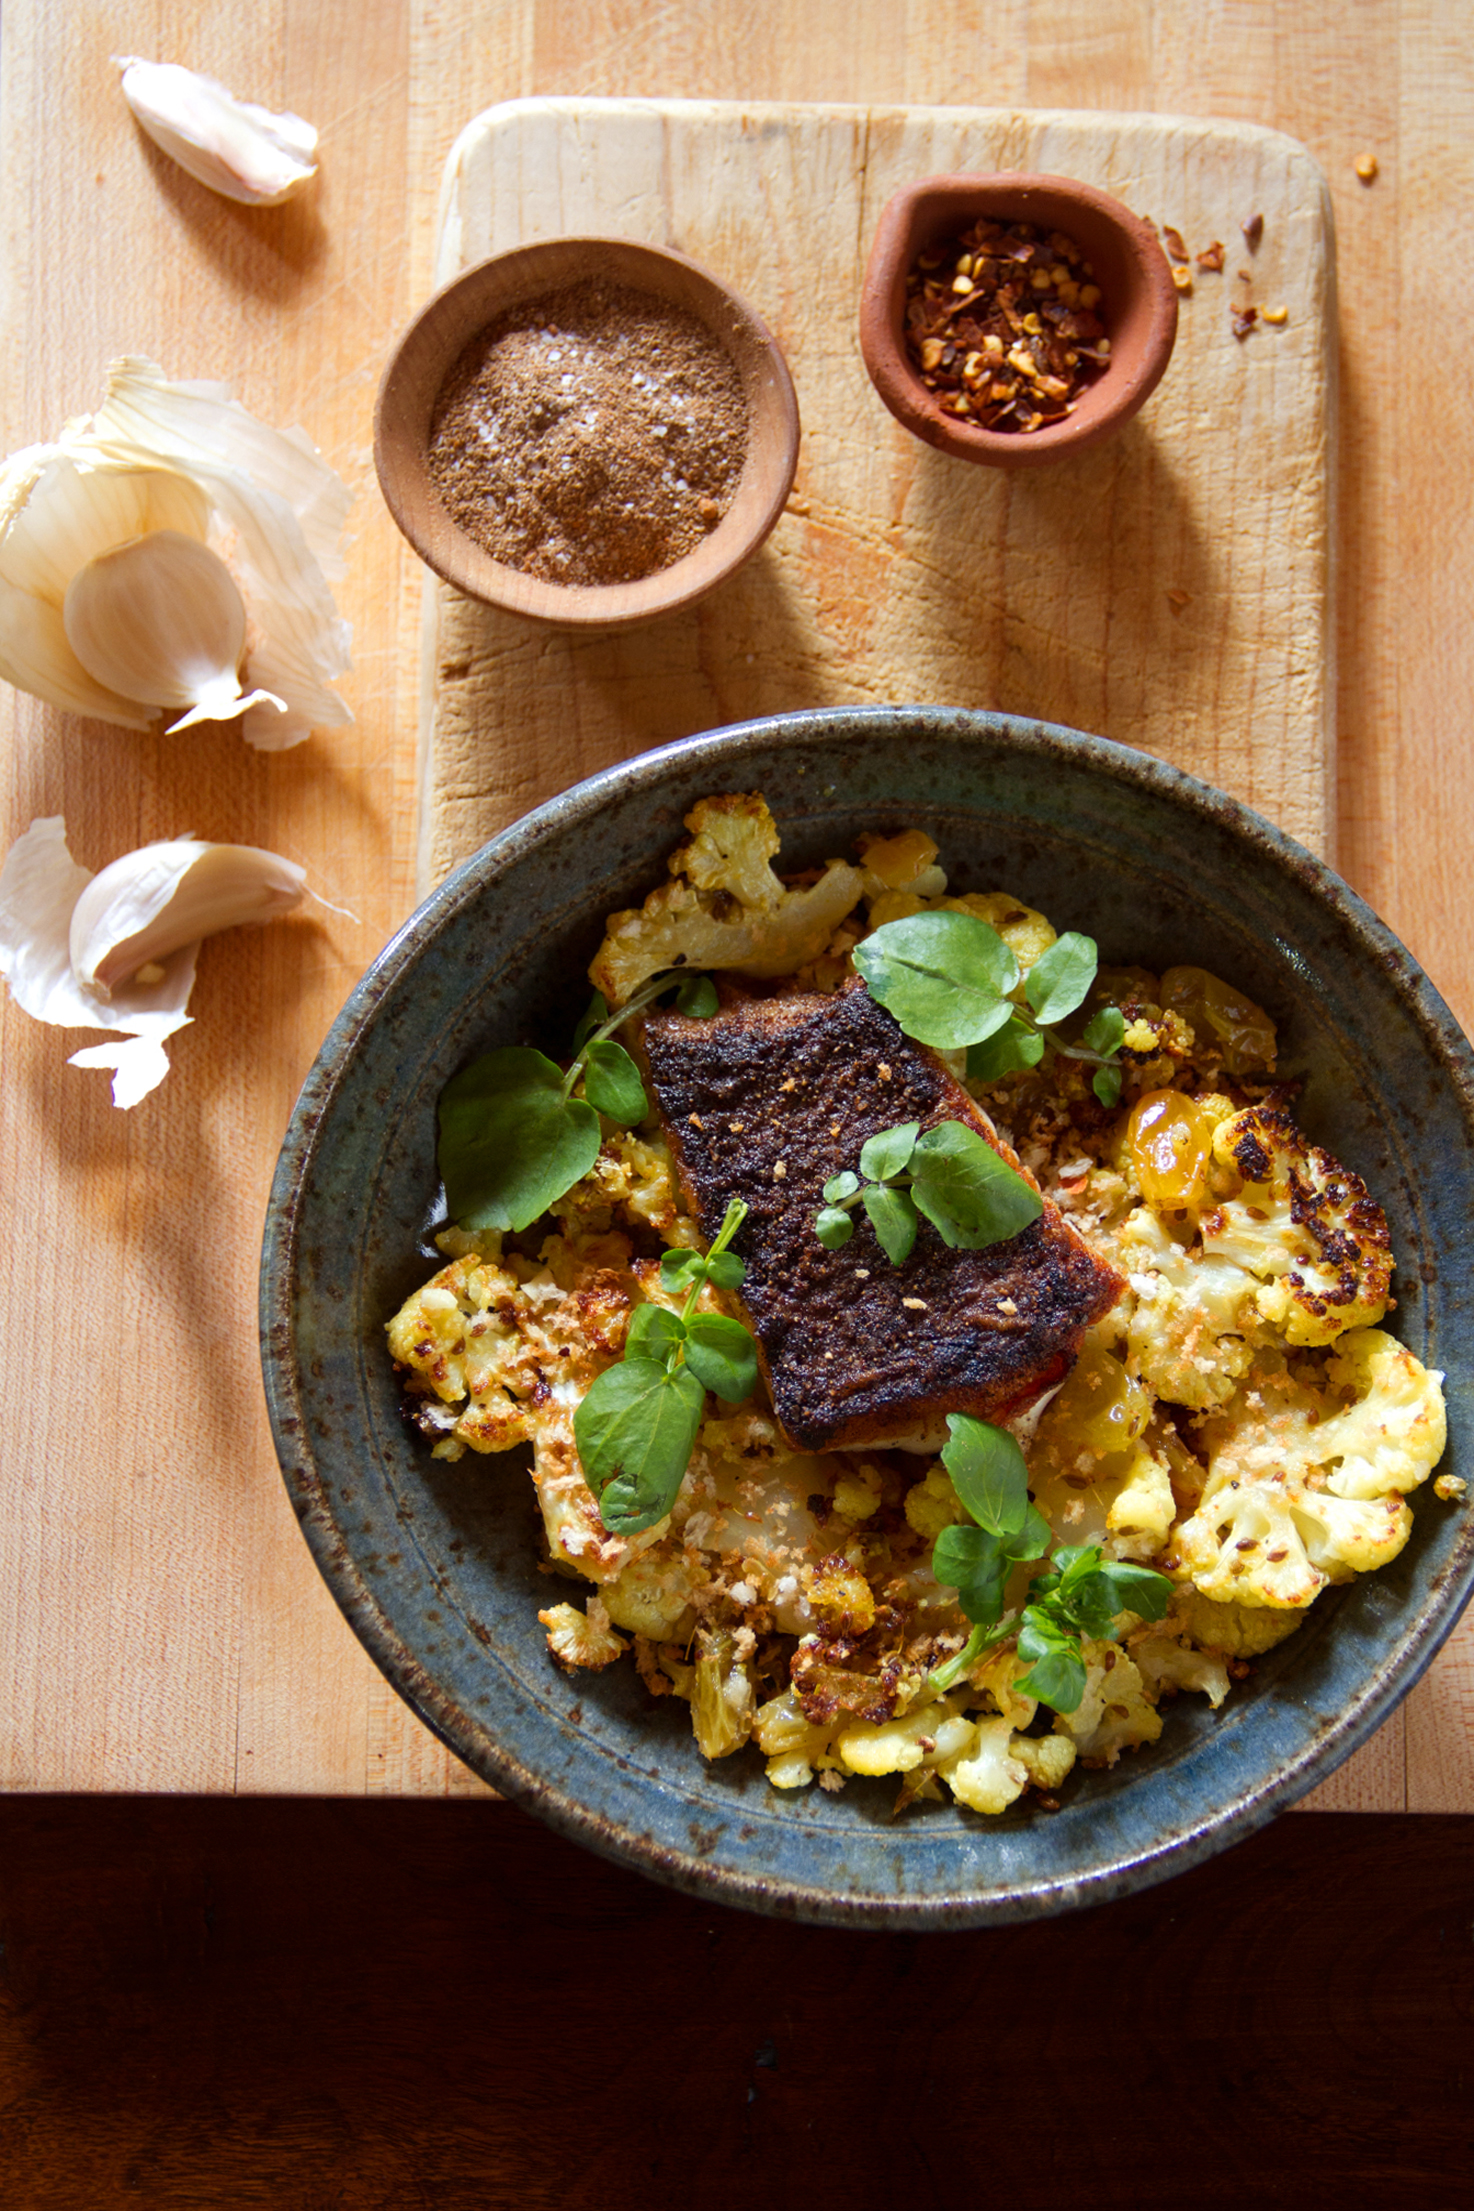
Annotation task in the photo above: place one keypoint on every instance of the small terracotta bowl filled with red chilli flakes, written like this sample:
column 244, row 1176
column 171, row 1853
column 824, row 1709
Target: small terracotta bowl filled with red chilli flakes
column 1015, row 319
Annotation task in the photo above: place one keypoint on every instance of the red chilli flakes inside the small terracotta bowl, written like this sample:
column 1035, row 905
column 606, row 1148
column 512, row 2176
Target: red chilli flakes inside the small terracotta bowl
column 1004, row 326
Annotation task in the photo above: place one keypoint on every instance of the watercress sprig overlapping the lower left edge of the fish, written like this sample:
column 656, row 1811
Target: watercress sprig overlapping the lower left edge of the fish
column 638, row 1423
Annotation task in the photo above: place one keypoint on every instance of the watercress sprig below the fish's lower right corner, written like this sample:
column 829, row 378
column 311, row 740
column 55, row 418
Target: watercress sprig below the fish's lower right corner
column 1077, row 1593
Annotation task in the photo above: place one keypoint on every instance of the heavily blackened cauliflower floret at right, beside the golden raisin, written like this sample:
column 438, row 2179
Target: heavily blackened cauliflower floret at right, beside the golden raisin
column 1305, row 1226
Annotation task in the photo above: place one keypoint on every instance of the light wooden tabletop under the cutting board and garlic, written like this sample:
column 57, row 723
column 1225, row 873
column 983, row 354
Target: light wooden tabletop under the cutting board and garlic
column 162, row 1626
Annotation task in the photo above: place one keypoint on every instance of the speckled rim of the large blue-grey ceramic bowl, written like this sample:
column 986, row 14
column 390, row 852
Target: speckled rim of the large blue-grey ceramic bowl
column 467, row 1737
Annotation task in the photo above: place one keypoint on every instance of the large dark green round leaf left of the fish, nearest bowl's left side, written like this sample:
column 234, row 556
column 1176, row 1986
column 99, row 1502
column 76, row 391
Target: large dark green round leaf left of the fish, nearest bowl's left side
column 512, row 1144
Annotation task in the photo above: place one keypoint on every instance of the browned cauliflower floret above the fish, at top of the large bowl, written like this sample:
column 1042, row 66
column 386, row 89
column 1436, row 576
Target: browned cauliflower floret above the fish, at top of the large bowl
column 726, row 908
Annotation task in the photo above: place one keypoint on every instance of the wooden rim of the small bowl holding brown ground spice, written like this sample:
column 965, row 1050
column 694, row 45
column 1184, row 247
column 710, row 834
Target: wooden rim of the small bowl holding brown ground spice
column 406, row 485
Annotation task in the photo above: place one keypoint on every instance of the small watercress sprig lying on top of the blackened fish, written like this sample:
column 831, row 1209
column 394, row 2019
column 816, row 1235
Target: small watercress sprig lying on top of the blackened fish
column 951, row 1175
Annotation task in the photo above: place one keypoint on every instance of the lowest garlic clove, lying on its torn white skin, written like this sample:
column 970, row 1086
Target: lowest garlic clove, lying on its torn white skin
column 149, row 905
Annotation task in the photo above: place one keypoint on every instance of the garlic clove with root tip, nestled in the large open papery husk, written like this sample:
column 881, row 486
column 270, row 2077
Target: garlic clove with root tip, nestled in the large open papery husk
column 160, row 620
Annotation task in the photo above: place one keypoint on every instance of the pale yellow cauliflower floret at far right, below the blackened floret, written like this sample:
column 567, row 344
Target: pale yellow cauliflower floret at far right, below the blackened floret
column 1307, row 1480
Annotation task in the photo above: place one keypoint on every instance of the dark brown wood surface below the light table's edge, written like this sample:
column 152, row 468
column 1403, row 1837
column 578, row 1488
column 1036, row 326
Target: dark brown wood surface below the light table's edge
column 414, row 2006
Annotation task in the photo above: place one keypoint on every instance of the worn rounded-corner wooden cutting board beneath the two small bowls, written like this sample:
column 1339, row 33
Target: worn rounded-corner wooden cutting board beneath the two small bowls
column 1168, row 589
